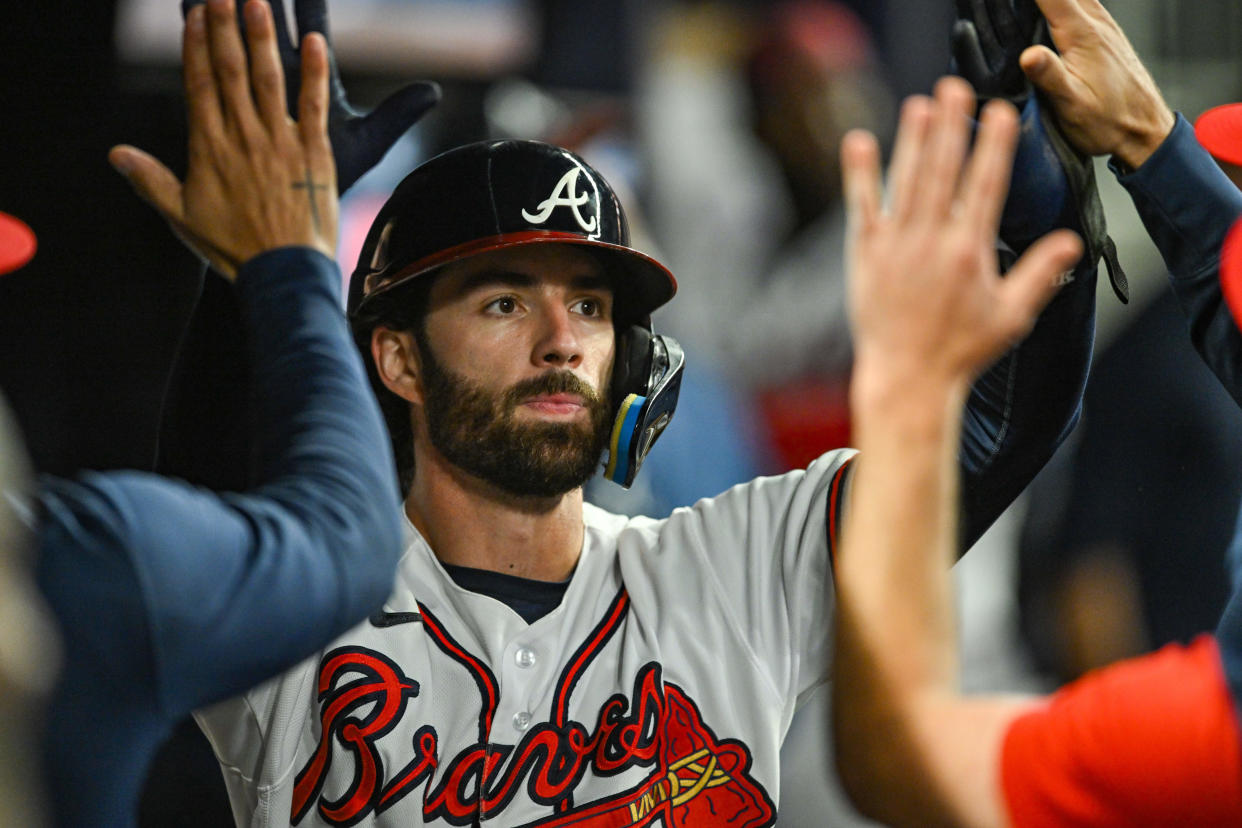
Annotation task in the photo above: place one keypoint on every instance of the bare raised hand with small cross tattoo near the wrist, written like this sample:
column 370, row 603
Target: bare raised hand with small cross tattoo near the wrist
column 256, row 179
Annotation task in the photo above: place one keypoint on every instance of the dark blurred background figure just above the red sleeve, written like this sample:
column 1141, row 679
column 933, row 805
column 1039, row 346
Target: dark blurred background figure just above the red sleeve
column 1122, row 548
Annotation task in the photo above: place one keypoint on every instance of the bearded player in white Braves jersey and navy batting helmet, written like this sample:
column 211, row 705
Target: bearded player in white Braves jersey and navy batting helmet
column 541, row 662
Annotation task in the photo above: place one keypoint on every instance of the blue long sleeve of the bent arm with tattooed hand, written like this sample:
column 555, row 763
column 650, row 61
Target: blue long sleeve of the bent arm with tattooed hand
column 188, row 596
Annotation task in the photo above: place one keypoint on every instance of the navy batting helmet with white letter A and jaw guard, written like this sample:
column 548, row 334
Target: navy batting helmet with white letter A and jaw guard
column 500, row 194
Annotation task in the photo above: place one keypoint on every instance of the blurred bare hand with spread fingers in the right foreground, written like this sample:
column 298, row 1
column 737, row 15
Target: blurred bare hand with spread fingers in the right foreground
column 927, row 301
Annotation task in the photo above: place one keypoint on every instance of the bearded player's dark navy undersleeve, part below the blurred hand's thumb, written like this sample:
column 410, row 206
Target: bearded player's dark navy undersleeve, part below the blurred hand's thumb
column 1025, row 405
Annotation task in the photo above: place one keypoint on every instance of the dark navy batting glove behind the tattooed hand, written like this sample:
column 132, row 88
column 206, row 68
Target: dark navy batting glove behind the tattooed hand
column 358, row 142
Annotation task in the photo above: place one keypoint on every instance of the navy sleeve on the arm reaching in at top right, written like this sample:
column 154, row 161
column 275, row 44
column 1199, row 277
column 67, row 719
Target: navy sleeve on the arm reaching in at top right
column 1188, row 205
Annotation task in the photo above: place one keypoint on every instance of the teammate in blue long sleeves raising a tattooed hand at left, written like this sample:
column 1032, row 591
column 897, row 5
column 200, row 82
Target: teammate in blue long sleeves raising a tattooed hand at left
column 168, row 596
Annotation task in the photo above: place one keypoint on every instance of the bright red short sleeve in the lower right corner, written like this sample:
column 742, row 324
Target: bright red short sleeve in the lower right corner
column 1149, row 742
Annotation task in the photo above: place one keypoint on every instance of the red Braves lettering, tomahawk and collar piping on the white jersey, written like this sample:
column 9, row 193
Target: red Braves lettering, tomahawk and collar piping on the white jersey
column 694, row 778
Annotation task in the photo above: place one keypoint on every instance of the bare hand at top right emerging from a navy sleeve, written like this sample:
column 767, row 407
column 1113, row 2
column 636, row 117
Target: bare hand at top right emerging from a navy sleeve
column 1105, row 100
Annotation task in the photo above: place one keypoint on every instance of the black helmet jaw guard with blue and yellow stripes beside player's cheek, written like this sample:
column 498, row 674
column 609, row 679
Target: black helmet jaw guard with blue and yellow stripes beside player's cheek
column 646, row 382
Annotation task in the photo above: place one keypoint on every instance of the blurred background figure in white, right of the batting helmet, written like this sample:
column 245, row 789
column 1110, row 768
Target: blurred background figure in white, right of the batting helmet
column 741, row 116
